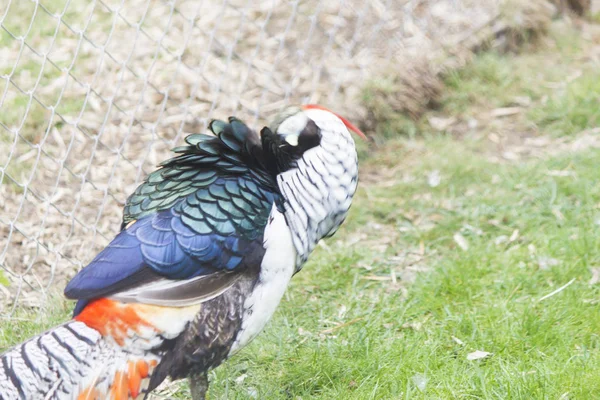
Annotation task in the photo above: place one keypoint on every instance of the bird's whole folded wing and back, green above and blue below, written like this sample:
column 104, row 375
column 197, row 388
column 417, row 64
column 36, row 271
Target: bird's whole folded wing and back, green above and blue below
column 190, row 229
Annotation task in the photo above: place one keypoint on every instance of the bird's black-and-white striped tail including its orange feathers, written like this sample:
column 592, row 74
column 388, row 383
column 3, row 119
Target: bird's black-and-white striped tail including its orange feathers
column 97, row 356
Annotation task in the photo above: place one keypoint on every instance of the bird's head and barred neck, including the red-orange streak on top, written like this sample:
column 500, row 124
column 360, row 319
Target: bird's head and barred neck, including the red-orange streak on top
column 316, row 169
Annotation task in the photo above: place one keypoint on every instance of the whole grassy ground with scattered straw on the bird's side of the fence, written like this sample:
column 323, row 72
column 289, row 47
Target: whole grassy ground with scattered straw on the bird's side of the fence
column 469, row 266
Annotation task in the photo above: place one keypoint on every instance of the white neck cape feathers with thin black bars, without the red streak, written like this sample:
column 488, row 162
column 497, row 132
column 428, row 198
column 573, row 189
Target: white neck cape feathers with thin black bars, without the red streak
column 319, row 189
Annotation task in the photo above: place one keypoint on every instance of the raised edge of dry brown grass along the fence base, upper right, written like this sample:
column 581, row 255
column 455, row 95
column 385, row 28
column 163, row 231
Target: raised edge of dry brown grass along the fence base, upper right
column 411, row 87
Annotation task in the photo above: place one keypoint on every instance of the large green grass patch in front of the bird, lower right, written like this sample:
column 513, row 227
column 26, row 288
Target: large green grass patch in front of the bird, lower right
column 488, row 296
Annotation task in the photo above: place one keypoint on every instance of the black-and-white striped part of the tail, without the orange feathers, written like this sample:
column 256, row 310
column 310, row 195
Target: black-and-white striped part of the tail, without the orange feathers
column 48, row 366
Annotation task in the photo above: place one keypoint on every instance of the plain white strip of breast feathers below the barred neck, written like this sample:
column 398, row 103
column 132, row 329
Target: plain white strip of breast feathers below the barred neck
column 276, row 270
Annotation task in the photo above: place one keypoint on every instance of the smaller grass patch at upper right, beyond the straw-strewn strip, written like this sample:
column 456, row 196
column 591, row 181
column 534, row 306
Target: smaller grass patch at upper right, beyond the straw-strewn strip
column 557, row 79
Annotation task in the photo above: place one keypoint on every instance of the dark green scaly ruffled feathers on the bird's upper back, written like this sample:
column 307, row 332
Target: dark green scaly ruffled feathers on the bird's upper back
column 234, row 151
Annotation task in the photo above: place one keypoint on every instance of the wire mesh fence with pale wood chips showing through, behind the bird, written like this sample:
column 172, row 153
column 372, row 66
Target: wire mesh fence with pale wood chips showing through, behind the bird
column 94, row 93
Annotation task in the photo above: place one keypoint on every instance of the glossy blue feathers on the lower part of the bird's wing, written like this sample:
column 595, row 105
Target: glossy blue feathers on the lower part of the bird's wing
column 163, row 243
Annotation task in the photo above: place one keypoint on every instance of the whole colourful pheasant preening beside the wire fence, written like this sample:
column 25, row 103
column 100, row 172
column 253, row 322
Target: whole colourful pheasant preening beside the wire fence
column 208, row 244
